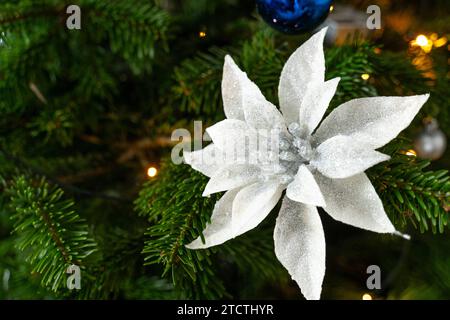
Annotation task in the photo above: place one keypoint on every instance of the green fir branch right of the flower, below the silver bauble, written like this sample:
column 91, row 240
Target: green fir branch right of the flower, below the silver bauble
column 411, row 194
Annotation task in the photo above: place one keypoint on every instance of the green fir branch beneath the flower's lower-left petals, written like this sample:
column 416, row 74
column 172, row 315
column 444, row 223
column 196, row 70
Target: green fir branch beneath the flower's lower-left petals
column 178, row 216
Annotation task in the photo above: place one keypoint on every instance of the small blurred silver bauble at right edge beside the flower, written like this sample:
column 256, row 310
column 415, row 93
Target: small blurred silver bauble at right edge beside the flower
column 431, row 143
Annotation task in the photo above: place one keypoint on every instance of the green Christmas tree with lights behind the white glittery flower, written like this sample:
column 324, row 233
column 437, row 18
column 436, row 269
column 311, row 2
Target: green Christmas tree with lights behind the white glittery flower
column 92, row 205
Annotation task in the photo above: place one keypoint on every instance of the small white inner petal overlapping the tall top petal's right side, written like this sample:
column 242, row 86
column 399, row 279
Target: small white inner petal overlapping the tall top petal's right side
column 315, row 104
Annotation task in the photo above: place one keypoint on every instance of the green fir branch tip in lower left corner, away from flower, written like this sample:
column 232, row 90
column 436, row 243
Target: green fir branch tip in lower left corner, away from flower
column 51, row 233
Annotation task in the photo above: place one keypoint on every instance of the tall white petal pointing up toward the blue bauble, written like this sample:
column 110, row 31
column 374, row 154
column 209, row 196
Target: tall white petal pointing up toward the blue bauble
column 306, row 65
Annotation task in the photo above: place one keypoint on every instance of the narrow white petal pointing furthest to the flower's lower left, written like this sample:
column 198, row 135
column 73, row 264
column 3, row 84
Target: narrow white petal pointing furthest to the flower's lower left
column 219, row 230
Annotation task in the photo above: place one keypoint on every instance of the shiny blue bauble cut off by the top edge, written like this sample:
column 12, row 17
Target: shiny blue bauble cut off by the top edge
column 294, row 16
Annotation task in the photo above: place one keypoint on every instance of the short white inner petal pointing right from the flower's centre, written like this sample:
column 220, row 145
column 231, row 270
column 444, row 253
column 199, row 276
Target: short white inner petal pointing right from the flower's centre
column 343, row 157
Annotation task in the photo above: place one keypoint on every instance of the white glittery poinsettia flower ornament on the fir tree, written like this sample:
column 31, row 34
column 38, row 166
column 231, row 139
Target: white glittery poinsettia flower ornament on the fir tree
column 322, row 168
